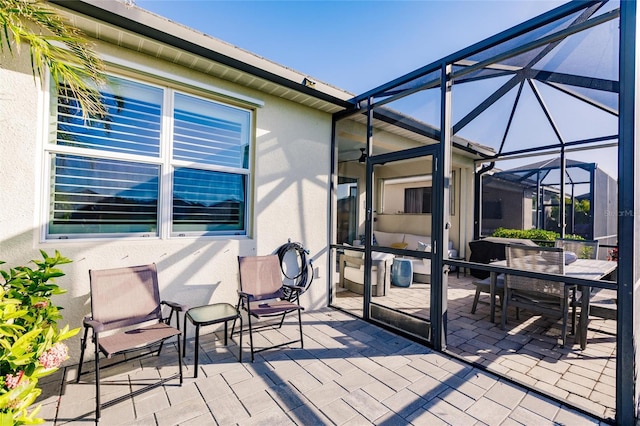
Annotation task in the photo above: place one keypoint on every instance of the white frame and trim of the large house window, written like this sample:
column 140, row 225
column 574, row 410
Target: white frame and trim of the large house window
column 170, row 84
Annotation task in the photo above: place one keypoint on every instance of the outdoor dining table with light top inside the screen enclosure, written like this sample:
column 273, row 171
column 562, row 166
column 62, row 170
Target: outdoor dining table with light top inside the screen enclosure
column 588, row 269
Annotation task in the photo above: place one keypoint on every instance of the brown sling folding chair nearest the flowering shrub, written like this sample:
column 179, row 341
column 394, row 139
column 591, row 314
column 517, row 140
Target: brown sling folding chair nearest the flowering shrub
column 126, row 317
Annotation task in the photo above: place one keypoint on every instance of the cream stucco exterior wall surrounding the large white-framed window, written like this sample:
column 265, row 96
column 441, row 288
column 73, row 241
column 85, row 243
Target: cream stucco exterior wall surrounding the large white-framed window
column 289, row 198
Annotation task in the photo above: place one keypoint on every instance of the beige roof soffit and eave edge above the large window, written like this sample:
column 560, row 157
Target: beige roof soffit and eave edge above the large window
column 329, row 99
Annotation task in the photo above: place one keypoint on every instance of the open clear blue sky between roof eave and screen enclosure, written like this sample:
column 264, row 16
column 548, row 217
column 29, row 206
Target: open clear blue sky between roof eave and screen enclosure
column 353, row 45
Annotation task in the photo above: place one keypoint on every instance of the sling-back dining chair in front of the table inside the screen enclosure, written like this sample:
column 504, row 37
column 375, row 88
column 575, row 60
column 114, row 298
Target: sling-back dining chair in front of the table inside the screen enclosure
column 546, row 297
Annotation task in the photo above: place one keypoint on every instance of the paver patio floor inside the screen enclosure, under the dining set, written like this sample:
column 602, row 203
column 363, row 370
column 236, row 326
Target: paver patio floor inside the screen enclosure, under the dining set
column 527, row 351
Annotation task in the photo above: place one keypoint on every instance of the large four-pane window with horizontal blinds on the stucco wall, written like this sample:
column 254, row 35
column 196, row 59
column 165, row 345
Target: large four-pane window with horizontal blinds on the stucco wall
column 111, row 176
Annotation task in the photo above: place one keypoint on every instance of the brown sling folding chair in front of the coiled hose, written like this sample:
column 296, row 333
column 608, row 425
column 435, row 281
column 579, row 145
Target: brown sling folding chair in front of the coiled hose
column 262, row 295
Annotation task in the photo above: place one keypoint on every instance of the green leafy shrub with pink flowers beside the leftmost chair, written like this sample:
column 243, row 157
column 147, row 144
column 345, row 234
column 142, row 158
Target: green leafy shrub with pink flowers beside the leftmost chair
column 30, row 342
